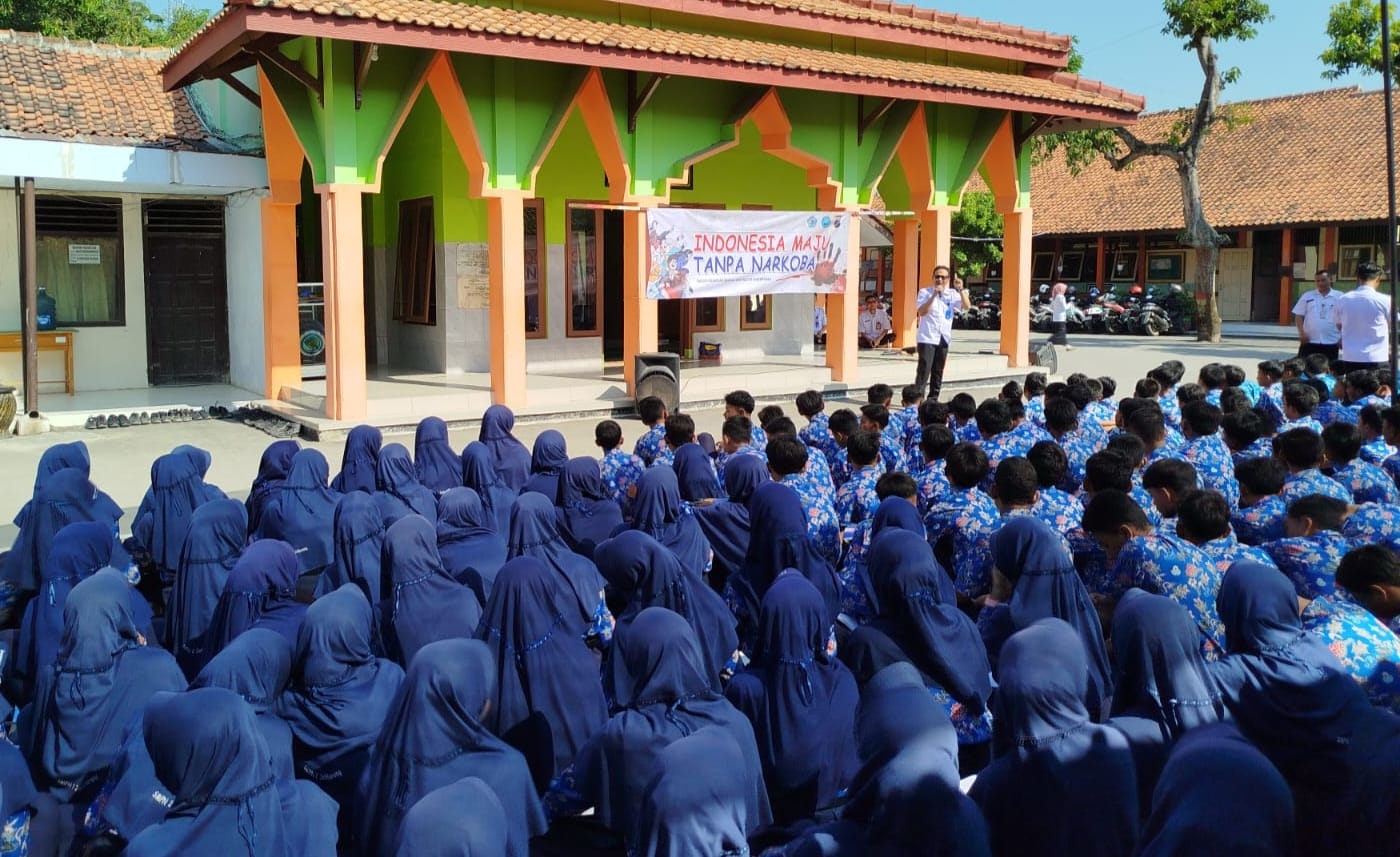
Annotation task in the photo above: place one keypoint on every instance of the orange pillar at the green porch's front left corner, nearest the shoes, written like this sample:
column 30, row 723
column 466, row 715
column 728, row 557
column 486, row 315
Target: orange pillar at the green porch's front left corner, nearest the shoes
column 342, row 249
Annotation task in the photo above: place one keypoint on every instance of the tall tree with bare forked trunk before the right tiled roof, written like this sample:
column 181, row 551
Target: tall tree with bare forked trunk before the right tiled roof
column 1200, row 25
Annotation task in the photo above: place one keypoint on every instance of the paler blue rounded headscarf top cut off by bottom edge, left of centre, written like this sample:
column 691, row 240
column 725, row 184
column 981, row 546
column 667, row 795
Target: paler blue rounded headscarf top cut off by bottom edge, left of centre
column 463, row 820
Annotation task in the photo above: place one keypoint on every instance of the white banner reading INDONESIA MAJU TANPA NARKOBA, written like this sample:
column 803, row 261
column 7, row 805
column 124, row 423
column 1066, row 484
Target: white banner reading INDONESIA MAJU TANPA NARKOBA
column 701, row 253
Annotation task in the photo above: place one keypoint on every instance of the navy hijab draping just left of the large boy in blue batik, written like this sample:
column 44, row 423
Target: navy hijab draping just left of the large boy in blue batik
column 1035, row 559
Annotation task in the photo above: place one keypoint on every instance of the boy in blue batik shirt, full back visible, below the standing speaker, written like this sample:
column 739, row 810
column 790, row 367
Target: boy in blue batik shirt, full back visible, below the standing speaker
column 964, row 519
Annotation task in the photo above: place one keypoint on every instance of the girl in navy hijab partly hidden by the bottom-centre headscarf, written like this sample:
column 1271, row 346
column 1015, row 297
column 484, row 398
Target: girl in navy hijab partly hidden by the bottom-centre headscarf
column 663, row 697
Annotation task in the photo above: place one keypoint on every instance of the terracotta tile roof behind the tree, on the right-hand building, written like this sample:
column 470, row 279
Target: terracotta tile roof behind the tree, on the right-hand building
column 1307, row 159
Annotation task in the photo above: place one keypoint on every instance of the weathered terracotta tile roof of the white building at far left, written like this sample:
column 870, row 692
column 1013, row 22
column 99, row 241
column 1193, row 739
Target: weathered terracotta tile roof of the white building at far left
column 61, row 90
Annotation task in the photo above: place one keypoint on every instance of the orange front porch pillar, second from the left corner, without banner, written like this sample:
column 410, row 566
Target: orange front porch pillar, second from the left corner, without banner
column 506, row 237
